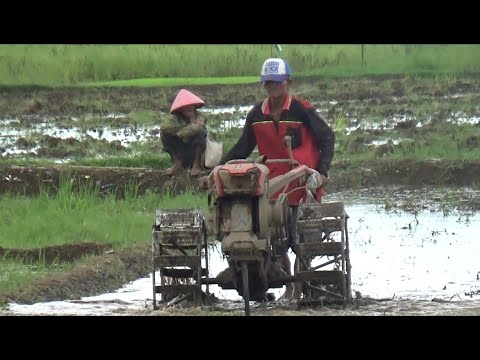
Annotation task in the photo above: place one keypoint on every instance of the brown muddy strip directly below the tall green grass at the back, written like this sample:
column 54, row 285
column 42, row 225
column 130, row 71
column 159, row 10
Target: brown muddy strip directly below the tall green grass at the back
column 22, row 101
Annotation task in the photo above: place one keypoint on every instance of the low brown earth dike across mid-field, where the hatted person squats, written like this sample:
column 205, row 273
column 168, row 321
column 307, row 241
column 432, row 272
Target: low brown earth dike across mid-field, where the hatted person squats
column 30, row 180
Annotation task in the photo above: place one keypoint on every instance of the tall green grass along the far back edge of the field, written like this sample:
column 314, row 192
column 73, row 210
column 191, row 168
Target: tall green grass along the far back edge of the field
column 59, row 65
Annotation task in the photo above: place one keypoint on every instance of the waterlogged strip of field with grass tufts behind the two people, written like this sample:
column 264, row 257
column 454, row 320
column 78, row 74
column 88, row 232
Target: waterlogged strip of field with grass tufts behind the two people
column 36, row 136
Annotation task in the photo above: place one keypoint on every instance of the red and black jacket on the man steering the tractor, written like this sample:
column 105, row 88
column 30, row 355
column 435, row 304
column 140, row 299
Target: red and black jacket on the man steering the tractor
column 313, row 140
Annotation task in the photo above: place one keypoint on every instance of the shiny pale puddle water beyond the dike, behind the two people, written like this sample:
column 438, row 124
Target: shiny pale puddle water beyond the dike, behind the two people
column 10, row 130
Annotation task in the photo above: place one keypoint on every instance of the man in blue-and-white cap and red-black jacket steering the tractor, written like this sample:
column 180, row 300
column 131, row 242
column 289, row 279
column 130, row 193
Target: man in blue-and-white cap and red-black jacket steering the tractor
column 270, row 121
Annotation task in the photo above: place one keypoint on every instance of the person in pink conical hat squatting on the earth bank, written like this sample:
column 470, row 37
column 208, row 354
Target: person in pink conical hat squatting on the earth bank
column 184, row 135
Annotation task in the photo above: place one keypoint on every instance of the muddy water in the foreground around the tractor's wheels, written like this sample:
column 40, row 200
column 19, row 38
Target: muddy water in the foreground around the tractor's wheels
column 413, row 252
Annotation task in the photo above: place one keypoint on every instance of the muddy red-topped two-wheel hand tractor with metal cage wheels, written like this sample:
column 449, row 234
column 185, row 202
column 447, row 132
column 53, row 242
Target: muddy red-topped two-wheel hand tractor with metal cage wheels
column 252, row 229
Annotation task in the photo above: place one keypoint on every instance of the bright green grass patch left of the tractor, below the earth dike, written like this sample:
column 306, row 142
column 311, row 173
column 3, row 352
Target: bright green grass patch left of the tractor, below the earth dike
column 77, row 213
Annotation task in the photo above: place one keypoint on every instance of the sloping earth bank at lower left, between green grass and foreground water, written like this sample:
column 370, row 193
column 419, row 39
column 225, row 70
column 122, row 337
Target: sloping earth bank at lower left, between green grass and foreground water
column 106, row 269
